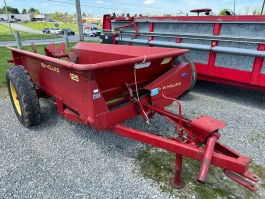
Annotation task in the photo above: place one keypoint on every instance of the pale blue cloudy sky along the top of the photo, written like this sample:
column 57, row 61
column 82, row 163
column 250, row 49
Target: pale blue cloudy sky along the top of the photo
column 99, row 7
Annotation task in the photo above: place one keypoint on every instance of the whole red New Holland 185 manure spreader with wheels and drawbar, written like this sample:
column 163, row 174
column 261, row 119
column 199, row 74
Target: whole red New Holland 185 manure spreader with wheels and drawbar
column 103, row 85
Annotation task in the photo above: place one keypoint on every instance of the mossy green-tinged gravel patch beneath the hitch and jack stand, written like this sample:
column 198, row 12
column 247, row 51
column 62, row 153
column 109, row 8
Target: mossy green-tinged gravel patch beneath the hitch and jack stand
column 158, row 165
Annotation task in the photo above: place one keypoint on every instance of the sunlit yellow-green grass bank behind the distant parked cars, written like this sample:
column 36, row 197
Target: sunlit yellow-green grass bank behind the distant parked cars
column 41, row 25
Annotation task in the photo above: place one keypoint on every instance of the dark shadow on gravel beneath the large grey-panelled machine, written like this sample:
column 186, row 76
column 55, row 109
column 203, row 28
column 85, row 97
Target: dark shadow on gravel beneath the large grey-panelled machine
column 248, row 97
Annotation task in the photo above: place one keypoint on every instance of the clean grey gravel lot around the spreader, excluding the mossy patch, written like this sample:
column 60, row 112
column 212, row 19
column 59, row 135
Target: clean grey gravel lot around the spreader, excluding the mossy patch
column 62, row 159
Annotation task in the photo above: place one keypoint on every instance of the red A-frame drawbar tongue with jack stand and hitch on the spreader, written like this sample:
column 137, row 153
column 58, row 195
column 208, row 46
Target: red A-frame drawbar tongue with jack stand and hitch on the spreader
column 235, row 165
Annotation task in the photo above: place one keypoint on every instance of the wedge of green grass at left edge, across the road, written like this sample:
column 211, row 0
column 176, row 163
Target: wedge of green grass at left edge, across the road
column 5, row 35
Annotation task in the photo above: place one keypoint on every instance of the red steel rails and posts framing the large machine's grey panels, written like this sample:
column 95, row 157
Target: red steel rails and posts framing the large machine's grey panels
column 210, row 71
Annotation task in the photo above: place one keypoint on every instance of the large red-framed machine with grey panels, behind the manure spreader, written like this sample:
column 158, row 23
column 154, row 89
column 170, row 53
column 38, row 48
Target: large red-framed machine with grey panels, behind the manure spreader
column 225, row 49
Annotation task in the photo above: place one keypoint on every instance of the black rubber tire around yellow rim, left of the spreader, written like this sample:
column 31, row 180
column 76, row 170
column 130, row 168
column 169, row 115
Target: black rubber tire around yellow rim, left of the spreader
column 26, row 95
